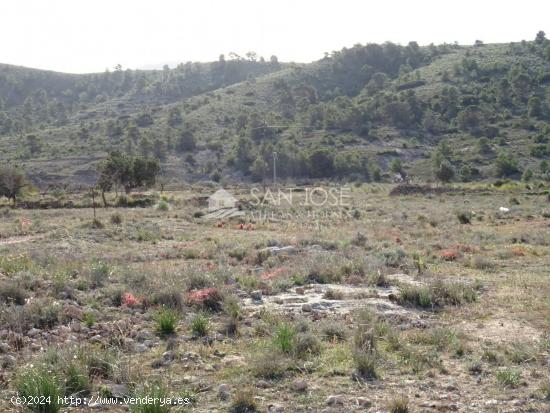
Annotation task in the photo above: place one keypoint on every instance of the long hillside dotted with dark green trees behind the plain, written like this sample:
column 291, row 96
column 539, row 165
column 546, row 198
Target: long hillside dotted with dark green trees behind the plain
column 367, row 112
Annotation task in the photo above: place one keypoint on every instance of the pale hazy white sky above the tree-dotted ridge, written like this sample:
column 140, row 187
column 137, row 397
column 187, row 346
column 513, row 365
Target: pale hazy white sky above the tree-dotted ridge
column 92, row 35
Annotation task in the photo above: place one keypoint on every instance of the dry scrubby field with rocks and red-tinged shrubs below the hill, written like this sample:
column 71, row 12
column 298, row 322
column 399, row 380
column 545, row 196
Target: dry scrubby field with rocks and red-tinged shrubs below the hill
column 398, row 305
